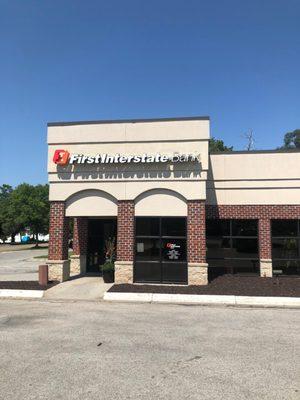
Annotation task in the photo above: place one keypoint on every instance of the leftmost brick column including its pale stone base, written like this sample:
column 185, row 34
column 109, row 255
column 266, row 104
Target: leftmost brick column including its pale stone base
column 59, row 265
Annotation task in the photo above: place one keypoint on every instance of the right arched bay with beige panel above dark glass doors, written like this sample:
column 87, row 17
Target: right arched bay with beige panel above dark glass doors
column 160, row 237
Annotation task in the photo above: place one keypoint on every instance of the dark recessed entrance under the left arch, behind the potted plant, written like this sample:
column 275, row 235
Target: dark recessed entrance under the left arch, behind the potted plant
column 99, row 230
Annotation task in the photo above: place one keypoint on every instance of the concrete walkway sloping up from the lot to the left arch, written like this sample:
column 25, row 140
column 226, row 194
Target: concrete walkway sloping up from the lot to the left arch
column 84, row 288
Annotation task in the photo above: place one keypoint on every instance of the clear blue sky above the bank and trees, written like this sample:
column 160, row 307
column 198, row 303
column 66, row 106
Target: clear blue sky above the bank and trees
column 66, row 60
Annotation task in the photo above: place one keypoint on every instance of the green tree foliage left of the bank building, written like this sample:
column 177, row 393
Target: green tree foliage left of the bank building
column 25, row 207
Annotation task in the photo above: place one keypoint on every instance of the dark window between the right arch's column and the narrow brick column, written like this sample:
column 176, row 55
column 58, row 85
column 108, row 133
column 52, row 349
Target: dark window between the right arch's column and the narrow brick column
column 232, row 246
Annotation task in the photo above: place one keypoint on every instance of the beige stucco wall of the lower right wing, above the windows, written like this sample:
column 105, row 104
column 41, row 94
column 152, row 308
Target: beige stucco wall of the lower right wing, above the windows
column 254, row 178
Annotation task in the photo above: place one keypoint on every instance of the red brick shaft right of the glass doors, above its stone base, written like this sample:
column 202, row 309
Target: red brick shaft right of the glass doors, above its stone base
column 196, row 236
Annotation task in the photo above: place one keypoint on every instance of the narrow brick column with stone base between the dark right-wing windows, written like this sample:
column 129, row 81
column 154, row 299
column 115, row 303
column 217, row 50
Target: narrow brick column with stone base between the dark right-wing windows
column 265, row 247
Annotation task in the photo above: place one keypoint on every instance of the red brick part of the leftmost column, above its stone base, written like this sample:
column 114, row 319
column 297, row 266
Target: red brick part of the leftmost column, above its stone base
column 58, row 232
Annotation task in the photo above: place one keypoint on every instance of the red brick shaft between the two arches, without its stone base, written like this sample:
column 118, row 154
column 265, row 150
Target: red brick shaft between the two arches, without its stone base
column 125, row 235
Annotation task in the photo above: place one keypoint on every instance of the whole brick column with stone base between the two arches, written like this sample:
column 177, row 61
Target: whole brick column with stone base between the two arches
column 125, row 242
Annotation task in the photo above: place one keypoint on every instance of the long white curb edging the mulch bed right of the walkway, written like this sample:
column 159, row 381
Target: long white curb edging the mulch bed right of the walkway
column 249, row 301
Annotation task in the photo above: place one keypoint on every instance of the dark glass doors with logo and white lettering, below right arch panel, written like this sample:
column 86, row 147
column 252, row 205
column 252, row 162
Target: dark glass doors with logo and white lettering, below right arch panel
column 160, row 250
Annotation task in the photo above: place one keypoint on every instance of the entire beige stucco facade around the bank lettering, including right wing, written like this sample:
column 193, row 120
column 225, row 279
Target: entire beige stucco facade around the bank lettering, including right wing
column 232, row 178
